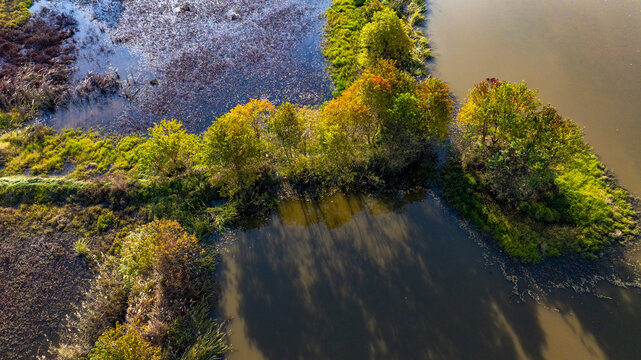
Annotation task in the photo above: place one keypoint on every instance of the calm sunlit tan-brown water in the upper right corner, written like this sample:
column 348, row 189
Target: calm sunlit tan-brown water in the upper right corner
column 583, row 55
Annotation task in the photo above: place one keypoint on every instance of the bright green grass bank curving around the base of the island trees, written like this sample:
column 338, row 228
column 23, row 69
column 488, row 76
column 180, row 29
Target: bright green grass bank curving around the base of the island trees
column 586, row 214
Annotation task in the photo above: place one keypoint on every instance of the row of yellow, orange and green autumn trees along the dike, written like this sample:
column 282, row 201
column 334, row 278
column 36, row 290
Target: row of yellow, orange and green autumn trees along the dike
column 385, row 117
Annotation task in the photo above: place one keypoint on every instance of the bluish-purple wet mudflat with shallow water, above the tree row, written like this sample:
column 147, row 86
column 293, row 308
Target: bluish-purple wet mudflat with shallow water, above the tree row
column 192, row 60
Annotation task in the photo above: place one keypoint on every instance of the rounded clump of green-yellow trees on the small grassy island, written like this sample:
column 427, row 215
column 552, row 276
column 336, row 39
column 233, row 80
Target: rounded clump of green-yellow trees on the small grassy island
column 512, row 143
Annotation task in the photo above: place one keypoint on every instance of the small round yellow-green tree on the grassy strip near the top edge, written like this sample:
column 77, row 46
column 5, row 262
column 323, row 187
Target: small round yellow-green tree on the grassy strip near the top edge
column 386, row 37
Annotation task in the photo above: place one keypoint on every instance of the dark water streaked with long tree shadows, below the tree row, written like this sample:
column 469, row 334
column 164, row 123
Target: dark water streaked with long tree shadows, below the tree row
column 355, row 277
